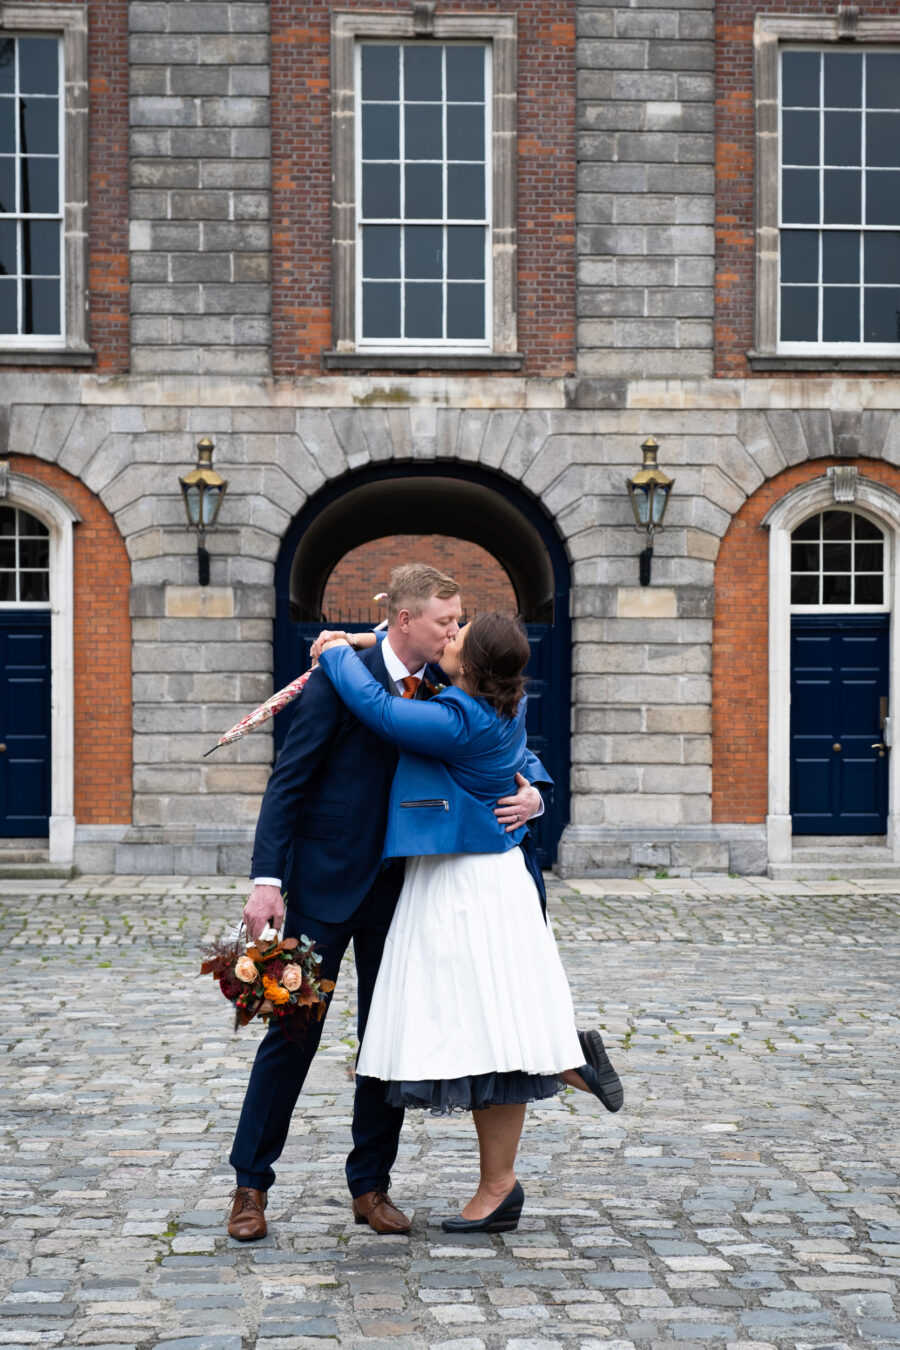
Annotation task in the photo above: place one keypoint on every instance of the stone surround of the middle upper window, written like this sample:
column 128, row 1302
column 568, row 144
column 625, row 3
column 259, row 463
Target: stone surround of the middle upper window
column 499, row 32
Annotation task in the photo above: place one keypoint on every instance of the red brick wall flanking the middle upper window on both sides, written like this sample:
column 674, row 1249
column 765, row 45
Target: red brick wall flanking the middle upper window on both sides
column 303, row 182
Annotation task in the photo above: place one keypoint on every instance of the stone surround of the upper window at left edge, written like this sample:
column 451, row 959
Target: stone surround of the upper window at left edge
column 69, row 24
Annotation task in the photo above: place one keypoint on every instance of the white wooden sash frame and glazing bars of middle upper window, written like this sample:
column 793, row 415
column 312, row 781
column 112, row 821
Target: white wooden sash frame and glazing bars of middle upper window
column 449, row 345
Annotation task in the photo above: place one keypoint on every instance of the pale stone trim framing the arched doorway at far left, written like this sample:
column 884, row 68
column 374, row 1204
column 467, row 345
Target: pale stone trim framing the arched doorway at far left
column 60, row 519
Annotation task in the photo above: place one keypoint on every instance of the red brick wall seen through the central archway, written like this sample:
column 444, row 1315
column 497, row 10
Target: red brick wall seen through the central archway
column 365, row 572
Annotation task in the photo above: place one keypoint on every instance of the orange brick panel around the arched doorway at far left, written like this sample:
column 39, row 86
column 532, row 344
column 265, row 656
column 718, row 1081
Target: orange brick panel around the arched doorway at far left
column 102, row 653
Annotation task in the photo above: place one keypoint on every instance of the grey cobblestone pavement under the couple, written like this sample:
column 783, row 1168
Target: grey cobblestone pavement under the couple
column 747, row 1198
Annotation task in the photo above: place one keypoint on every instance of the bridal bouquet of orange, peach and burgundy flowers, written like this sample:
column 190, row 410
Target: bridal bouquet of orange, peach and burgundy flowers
column 277, row 982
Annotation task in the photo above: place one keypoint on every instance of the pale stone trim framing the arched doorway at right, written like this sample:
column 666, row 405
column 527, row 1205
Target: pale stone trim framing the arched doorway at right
column 818, row 495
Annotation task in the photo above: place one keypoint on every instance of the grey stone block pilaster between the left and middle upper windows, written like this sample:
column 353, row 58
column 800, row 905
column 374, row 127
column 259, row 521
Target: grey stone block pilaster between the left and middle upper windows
column 200, row 179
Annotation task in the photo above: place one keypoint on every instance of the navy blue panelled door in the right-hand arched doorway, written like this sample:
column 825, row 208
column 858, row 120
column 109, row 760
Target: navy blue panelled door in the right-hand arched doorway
column 839, row 682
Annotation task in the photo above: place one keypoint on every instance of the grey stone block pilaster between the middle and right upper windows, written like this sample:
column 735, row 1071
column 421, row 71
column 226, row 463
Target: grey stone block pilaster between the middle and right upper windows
column 646, row 178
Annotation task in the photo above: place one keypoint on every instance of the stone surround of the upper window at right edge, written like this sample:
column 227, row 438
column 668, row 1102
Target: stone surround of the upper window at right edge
column 771, row 34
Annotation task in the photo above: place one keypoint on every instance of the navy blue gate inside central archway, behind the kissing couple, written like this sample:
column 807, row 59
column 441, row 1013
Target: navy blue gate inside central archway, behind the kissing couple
column 550, row 749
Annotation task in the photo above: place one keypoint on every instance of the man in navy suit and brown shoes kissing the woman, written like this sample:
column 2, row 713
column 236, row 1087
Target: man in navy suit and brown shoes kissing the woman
column 320, row 831
